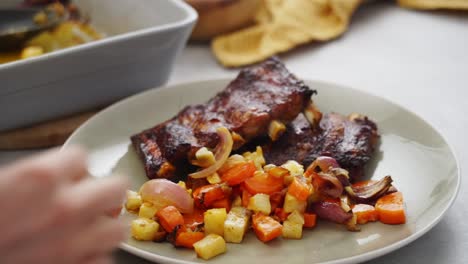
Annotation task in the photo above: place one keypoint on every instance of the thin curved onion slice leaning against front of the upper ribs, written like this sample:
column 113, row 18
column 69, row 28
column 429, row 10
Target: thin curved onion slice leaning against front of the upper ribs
column 222, row 151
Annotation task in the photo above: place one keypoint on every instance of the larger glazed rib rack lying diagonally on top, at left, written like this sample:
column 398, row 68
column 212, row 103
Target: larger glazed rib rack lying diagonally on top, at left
column 260, row 95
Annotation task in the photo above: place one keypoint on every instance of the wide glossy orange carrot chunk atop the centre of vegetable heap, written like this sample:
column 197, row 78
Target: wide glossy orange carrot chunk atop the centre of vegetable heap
column 263, row 183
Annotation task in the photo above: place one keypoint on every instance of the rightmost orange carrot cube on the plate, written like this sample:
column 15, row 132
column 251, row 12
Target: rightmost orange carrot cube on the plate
column 391, row 209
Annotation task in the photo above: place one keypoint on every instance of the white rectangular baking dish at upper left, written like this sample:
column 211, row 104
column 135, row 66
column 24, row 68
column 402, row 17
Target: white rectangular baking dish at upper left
column 143, row 39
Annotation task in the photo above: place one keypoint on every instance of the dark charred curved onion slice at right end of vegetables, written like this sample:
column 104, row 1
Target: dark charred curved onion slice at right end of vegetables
column 372, row 192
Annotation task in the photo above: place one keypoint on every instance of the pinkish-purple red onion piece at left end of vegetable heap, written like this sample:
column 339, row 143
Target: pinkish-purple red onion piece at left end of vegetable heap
column 162, row 193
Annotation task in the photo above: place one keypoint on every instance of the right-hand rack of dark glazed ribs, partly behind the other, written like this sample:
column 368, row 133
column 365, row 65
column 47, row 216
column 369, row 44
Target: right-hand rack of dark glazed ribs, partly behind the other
column 350, row 140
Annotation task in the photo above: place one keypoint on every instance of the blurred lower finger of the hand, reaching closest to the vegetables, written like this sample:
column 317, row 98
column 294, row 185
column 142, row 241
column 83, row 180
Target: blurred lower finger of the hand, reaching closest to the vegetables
column 72, row 206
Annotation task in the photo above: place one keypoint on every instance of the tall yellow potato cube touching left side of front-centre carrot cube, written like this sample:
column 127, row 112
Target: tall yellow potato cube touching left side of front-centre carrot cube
column 236, row 224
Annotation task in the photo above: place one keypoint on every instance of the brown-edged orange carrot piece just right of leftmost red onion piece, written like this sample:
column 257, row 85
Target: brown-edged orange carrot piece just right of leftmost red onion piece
column 206, row 195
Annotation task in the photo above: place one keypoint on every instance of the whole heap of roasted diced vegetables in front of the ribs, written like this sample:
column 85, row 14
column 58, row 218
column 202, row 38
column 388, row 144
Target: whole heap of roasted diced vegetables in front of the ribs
column 207, row 211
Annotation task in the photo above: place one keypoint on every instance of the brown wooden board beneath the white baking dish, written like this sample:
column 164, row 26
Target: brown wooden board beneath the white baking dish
column 48, row 134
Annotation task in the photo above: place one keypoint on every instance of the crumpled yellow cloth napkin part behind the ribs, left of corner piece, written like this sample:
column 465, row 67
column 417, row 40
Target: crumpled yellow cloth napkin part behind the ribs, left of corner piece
column 283, row 25
